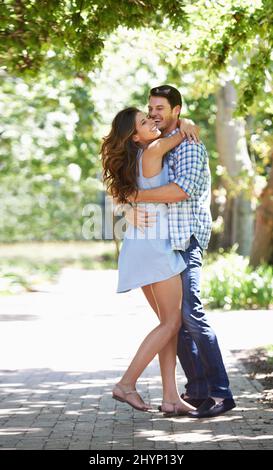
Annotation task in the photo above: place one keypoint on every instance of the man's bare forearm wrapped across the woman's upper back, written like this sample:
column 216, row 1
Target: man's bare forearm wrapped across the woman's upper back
column 169, row 193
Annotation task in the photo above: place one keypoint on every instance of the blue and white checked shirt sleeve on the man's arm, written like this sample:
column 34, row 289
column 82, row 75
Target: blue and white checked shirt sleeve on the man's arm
column 189, row 167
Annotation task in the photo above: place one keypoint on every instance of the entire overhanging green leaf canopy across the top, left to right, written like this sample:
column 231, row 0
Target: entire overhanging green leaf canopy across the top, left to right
column 75, row 30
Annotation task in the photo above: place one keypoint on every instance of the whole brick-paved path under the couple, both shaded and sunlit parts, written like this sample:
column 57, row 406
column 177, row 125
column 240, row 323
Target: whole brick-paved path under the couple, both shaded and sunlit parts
column 62, row 350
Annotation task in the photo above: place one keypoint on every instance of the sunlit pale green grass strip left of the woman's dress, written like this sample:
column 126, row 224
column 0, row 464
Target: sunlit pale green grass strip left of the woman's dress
column 25, row 266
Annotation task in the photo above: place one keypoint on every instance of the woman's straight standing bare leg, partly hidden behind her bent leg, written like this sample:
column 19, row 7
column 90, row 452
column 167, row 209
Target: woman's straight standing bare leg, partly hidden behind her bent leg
column 167, row 357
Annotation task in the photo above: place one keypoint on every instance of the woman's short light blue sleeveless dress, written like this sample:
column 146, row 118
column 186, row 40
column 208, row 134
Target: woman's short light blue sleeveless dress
column 147, row 257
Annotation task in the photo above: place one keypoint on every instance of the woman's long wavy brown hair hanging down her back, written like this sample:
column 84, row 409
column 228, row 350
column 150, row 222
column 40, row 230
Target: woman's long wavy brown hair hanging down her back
column 119, row 153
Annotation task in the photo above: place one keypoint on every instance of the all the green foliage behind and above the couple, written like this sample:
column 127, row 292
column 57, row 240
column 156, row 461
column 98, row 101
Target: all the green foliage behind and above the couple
column 67, row 67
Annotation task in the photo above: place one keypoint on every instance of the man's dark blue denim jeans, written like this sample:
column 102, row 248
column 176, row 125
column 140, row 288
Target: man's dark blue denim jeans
column 198, row 348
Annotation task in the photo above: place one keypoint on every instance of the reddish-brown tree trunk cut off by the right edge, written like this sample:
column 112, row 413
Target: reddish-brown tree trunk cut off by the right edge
column 262, row 247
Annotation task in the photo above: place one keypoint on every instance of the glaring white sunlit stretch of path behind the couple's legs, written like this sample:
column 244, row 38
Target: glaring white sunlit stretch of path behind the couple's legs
column 81, row 323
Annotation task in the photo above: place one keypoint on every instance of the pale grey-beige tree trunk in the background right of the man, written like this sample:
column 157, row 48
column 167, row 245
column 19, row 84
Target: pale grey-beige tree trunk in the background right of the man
column 233, row 153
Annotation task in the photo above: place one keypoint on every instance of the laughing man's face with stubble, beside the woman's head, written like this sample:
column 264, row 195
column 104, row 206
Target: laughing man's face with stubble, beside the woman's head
column 161, row 112
